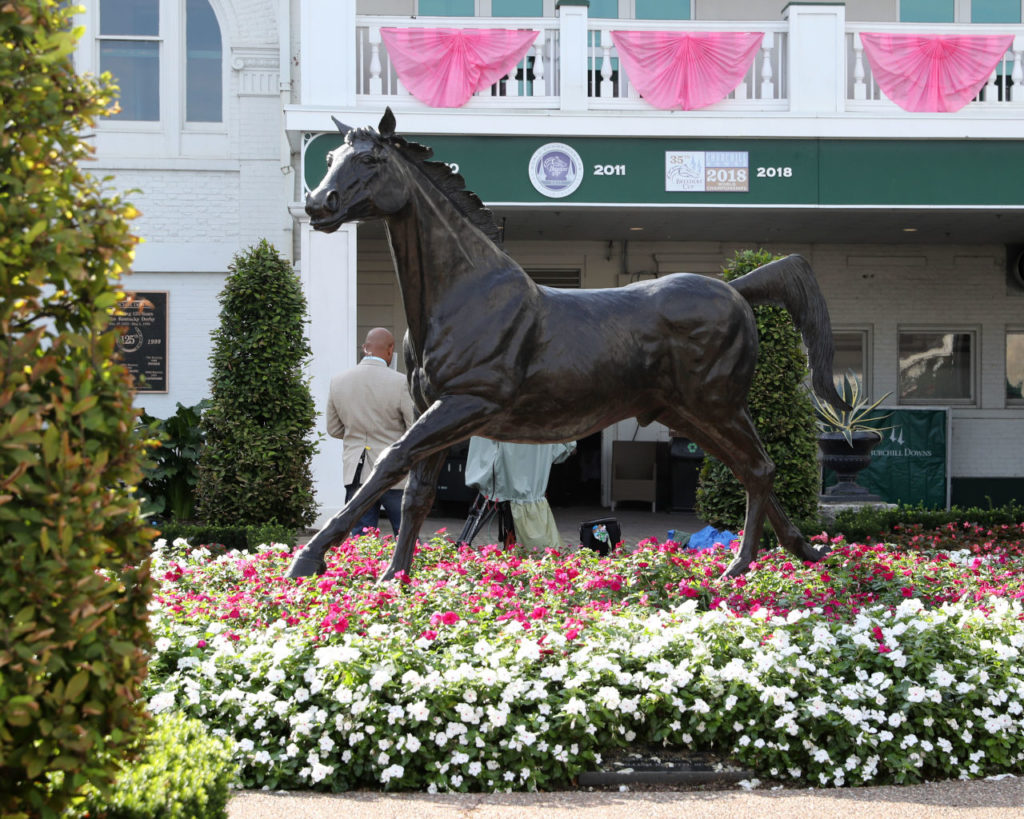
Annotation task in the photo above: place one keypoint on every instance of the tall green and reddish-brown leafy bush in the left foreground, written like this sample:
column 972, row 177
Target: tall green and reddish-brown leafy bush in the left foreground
column 73, row 635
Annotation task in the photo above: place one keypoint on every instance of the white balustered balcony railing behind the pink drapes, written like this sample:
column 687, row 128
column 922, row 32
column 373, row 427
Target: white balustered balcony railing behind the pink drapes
column 588, row 50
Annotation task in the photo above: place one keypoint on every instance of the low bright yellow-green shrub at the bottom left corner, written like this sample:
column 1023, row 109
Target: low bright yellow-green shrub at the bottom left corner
column 183, row 773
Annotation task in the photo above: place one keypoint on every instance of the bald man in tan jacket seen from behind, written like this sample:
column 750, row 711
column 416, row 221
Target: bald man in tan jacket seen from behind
column 370, row 409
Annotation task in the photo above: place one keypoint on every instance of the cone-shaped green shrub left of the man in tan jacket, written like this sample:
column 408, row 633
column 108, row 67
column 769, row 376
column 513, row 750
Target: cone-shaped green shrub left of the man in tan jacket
column 255, row 467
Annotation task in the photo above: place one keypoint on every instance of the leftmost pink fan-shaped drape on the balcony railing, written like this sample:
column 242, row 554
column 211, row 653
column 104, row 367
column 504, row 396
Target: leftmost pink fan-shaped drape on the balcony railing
column 444, row 68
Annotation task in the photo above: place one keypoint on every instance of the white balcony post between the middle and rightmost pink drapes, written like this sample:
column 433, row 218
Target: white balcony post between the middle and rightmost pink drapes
column 818, row 58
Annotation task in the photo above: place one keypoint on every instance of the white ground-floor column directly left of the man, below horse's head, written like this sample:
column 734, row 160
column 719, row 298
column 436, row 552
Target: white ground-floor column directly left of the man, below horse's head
column 329, row 281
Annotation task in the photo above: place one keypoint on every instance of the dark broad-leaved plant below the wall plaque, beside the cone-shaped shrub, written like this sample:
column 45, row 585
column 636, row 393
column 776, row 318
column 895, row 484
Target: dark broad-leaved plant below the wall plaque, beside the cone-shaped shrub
column 169, row 486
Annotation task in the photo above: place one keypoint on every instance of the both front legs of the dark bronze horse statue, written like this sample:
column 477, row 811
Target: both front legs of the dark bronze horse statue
column 446, row 422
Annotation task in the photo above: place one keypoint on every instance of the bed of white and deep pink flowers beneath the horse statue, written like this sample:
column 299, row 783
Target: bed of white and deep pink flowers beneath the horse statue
column 488, row 671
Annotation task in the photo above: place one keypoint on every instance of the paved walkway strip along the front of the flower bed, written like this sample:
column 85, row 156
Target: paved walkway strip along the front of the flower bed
column 982, row 800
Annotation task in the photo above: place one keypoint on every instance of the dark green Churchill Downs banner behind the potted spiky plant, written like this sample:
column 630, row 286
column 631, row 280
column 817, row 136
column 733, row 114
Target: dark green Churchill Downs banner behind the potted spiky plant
column 910, row 465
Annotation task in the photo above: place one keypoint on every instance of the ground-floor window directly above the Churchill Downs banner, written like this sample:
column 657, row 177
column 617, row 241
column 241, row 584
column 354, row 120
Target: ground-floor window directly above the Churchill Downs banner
column 936, row 367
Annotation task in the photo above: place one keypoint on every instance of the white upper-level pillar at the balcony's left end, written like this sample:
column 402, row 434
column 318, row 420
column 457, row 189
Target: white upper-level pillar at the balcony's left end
column 328, row 54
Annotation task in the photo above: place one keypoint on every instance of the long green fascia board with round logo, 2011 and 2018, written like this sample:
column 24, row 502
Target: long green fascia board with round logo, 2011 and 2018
column 735, row 173
